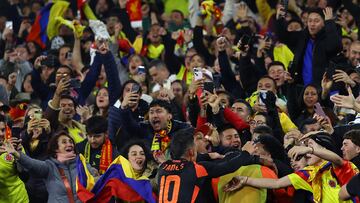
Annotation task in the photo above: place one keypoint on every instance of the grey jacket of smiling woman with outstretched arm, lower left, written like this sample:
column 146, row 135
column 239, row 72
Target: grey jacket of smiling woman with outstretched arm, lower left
column 48, row 170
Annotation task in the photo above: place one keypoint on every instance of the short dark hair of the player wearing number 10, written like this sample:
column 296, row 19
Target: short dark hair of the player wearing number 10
column 181, row 141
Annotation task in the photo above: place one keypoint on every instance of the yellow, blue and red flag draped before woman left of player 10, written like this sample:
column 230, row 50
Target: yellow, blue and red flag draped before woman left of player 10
column 119, row 181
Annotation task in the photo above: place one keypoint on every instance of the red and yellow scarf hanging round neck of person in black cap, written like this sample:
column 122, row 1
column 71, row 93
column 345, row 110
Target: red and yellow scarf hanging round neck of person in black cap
column 106, row 155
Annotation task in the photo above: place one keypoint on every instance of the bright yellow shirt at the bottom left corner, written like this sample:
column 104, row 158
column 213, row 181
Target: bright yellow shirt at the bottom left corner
column 12, row 189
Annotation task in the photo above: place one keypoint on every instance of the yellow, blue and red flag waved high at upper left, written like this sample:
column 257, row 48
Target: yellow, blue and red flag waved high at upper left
column 45, row 26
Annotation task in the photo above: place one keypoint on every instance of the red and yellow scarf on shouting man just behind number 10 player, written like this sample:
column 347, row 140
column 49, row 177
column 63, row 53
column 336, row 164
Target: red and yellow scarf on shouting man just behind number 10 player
column 161, row 140
